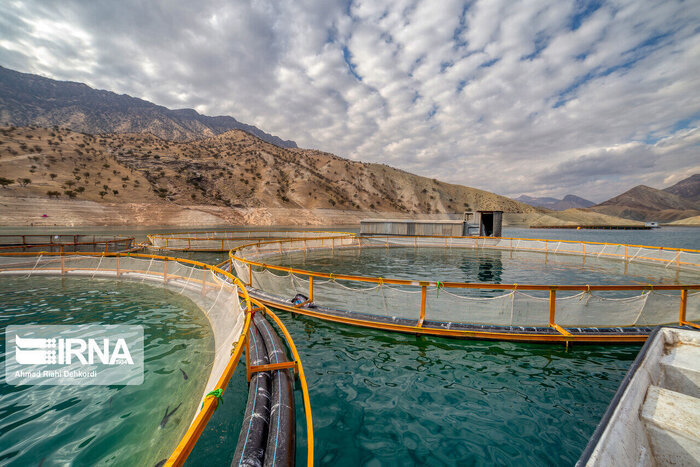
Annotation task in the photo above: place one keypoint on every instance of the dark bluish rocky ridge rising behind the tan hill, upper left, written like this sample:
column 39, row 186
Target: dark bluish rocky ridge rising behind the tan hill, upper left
column 27, row 99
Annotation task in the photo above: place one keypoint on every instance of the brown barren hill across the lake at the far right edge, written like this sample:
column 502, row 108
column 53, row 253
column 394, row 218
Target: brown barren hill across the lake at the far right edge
column 644, row 203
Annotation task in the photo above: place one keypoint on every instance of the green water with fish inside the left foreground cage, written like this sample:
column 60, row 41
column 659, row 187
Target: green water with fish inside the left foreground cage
column 104, row 425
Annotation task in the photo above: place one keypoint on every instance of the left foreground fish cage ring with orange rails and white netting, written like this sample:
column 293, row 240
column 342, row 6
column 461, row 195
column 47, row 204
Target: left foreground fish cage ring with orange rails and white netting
column 235, row 319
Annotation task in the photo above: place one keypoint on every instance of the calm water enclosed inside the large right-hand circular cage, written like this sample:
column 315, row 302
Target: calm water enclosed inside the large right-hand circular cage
column 481, row 266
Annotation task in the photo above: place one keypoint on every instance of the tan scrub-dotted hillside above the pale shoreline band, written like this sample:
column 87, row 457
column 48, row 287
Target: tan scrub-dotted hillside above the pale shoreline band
column 233, row 170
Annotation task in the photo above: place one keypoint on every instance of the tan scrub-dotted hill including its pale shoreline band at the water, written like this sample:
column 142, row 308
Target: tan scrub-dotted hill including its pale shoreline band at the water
column 82, row 179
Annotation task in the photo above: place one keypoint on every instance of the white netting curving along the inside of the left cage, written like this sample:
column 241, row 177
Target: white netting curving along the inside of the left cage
column 217, row 298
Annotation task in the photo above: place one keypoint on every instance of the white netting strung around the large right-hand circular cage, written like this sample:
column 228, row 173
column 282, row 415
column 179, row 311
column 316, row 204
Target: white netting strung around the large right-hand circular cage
column 490, row 304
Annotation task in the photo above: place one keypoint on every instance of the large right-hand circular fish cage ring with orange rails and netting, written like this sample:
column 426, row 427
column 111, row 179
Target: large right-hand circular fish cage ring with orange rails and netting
column 529, row 311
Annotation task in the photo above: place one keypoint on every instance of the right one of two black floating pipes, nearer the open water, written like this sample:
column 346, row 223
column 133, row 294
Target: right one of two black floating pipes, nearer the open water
column 281, row 440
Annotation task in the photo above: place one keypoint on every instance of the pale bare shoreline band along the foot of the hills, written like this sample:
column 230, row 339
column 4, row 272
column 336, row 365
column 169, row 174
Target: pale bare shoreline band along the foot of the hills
column 59, row 213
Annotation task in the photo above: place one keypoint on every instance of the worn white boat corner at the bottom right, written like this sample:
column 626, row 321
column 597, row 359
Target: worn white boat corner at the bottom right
column 654, row 418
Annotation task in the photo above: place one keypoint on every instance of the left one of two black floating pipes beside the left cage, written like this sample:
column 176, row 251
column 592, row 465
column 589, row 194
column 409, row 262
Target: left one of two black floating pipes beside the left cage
column 250, row 449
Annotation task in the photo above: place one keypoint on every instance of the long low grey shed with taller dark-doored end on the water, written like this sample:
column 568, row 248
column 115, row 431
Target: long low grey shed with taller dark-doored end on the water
column 473, row 223
